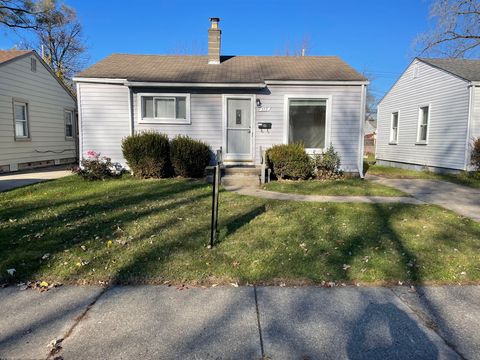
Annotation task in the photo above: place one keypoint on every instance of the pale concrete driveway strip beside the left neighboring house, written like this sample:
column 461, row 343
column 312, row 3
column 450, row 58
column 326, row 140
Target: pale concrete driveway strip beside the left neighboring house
column 18, row 179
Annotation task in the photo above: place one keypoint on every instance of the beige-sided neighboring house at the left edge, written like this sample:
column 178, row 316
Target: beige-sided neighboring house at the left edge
column 37, row 114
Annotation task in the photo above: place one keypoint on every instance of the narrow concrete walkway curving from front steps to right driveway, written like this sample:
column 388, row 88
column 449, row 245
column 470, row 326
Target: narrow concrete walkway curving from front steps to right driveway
column 273, row 195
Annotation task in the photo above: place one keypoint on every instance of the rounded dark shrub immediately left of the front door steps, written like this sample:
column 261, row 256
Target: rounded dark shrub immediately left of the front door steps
column 189, row 157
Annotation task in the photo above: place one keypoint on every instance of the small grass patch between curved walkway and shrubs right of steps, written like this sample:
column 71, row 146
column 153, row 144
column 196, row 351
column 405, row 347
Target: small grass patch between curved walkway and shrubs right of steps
column 355, row 187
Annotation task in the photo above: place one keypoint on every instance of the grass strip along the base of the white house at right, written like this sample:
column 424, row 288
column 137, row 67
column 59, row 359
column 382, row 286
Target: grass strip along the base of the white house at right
column 391, row 172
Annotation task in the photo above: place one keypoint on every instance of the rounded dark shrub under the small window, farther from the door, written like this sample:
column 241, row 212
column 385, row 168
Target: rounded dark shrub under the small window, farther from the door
column 147, row 154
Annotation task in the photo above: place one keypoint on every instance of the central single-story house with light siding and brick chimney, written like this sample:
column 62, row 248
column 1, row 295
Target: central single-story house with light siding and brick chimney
column 239, row 103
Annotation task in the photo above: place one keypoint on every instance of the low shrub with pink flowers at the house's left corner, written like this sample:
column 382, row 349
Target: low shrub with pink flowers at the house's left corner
column 96, row 167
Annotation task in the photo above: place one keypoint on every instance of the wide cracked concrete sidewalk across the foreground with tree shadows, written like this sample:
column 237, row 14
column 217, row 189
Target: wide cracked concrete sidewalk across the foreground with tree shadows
column 160, row 322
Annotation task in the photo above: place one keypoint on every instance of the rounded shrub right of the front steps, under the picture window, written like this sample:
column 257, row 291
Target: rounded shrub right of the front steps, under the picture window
column 290, row 161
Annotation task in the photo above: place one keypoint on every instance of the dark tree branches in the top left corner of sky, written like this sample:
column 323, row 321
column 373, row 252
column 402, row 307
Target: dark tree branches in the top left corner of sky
column 18, row 14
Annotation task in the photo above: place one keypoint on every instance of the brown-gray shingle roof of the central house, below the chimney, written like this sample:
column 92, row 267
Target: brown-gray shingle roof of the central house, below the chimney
column 232, row 69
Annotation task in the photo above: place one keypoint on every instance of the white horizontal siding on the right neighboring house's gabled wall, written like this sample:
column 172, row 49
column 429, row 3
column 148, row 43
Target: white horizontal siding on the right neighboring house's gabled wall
column 448, row 97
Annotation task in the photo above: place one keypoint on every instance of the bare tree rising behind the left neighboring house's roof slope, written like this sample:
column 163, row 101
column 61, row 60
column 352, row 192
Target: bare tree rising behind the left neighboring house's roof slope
column 60, row 34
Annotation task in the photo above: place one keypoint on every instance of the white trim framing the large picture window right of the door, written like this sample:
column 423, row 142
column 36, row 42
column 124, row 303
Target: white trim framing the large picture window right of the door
column 328, row 118
